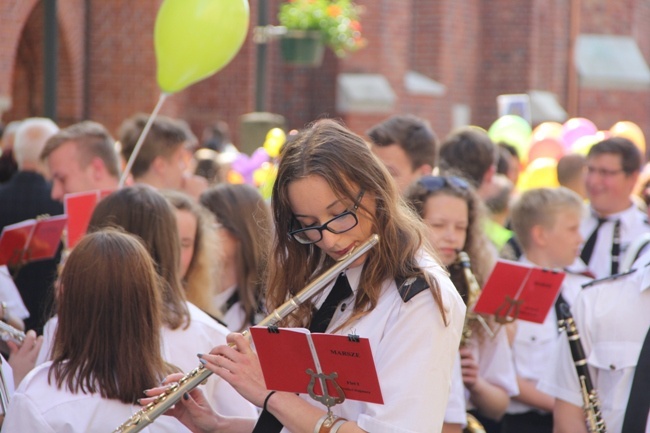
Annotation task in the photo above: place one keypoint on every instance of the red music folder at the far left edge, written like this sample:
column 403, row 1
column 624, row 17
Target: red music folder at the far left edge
column 31, row 240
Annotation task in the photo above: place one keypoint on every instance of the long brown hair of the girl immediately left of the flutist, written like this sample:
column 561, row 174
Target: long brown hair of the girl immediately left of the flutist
column 244, row 213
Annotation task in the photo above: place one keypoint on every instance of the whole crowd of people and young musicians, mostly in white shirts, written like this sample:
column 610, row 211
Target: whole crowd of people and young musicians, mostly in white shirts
column 178, row 263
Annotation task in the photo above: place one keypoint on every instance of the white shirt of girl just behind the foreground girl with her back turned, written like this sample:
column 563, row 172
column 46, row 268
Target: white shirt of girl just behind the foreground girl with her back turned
column 180, row 347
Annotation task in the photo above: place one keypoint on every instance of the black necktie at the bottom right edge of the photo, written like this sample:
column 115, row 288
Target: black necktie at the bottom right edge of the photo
column 638, row 405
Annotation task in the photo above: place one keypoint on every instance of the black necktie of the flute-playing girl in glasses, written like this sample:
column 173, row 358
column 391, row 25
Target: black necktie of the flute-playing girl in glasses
column 267, row 423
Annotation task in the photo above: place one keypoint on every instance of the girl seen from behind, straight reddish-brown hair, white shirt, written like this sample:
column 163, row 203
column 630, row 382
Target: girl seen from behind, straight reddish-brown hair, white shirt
column 108, row 322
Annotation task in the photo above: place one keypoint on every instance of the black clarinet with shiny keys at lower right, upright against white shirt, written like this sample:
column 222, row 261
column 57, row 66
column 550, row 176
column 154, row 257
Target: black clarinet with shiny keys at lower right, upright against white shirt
column 593, row 414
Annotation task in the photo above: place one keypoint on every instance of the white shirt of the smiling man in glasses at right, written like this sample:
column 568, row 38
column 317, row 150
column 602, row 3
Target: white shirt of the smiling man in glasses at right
column 633, row 225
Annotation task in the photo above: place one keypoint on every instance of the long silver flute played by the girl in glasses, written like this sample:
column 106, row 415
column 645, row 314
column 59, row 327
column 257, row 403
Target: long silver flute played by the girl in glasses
column 194, row 378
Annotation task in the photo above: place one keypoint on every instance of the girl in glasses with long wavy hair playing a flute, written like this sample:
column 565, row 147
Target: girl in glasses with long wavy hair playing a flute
column 330, row 196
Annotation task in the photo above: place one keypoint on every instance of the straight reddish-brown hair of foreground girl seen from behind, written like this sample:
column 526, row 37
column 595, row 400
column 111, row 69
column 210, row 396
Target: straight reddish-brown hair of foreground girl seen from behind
column 108, row 319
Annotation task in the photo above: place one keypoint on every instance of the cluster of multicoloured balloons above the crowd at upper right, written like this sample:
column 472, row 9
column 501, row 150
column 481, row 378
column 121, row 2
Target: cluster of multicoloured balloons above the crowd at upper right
column 540, row 149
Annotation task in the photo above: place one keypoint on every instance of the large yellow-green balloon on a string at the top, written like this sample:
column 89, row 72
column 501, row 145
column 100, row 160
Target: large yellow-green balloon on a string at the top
column 196, row 38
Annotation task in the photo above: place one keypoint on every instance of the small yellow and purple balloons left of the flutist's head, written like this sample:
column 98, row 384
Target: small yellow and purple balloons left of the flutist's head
column 260, row 169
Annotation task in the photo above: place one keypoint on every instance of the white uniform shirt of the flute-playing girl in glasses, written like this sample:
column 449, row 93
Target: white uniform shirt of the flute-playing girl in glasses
column 414, row 353
